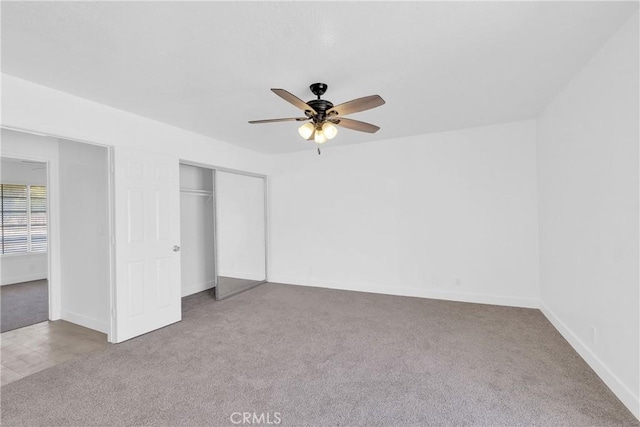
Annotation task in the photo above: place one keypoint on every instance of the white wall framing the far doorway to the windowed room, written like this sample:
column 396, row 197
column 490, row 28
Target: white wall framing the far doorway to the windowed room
column 34, row 147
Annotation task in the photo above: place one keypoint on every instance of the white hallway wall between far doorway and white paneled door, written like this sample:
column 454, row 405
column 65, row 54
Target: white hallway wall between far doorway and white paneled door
column 84, row 232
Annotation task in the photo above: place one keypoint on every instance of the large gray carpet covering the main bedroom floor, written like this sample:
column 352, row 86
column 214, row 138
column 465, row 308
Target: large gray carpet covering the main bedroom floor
column 323, row 357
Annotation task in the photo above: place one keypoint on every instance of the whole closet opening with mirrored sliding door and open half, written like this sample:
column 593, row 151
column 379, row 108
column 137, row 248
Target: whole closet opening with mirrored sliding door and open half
column 222, row 230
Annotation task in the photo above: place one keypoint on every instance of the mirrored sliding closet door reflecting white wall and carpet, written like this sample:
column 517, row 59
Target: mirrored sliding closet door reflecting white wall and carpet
column 240, row 229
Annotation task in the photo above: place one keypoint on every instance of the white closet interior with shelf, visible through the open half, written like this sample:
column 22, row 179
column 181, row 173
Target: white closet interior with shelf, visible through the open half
column 197, row 254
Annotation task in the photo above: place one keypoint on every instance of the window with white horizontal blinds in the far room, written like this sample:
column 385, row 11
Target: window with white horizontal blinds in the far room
column 23, row 218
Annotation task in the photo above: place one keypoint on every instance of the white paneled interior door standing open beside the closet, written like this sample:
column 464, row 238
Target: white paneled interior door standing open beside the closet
column 147, row 221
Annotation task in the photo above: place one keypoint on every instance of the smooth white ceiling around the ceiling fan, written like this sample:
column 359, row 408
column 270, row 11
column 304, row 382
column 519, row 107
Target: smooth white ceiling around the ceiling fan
column 208, row 66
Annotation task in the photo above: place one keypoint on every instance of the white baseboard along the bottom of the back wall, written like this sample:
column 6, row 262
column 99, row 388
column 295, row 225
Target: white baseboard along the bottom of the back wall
column 412, row 292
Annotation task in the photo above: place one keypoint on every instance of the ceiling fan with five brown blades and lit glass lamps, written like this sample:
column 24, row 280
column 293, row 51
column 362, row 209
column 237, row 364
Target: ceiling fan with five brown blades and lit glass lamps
column 322, row 116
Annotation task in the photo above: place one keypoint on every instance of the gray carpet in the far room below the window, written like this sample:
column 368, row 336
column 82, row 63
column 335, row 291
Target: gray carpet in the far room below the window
column 23, row 304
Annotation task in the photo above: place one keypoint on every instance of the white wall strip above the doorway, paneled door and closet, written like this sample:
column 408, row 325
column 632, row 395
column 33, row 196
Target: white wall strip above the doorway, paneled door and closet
column 30, row 106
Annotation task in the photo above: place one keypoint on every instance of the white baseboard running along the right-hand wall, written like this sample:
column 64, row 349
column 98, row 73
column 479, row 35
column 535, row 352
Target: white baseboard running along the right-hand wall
column 625, row 395
